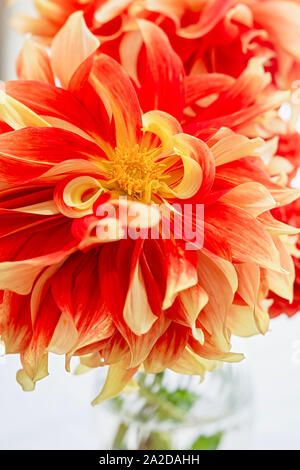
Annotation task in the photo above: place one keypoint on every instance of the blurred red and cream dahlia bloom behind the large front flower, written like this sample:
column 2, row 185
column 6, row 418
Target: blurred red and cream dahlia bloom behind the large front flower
column 234, row 56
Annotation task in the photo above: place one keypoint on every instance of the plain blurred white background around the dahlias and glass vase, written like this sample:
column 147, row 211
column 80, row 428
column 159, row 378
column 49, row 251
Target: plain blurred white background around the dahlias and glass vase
column 58, row 415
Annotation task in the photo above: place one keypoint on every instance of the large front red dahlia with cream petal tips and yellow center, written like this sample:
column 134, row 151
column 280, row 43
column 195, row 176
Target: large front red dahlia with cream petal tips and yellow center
column 65, row 287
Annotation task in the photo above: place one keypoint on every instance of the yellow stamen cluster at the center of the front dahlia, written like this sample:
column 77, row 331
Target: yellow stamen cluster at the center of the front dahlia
column 136, row 172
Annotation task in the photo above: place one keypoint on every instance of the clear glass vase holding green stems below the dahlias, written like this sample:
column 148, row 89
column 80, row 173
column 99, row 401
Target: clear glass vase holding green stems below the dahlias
column 173, row 412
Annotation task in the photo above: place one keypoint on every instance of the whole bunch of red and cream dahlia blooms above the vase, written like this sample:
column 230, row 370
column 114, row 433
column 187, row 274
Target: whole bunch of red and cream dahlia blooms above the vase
column 147, row 209
